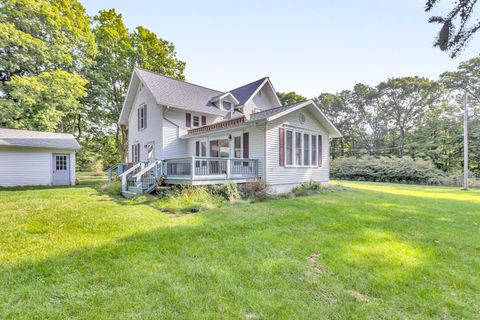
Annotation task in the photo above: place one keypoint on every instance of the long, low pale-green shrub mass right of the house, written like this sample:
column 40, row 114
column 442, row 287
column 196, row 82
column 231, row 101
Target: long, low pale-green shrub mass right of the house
column 384, row 169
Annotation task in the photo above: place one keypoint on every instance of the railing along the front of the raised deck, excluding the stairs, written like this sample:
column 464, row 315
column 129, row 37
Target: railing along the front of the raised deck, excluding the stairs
column 196, row 168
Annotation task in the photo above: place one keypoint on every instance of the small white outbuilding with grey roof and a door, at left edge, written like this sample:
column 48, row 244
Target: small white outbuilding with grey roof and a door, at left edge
column 31, row 158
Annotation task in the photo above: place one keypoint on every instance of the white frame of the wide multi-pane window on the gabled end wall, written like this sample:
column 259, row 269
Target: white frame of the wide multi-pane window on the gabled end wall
column 302, row 151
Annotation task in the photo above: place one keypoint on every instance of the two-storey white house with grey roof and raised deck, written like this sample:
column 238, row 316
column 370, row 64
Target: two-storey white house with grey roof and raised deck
column 194, row 135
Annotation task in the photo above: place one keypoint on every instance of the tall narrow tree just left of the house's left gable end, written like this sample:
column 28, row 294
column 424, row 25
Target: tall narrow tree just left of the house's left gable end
column 108, row 80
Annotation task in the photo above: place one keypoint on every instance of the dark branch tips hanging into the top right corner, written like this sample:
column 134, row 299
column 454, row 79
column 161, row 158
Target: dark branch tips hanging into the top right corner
column 456, row 30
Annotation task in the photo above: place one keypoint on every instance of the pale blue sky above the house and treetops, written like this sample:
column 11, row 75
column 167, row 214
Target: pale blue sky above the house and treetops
column 309, row 47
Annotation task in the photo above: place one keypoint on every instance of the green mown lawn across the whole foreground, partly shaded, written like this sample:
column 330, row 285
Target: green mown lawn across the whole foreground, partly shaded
column 371, row 251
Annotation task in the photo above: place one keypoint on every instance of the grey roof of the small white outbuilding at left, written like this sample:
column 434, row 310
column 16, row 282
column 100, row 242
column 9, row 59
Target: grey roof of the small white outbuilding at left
column 37, row 139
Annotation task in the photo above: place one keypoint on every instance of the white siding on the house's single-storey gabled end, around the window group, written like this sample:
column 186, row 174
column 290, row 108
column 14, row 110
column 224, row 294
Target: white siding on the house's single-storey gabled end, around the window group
column 284, row 178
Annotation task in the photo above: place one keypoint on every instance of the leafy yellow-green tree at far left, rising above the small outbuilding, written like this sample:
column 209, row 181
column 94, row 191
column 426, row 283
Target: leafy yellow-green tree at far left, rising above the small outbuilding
column 44, row 48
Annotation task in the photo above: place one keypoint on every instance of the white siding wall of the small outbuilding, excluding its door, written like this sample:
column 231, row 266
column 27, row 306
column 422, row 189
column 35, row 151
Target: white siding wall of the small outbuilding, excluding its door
column 21, row 166
